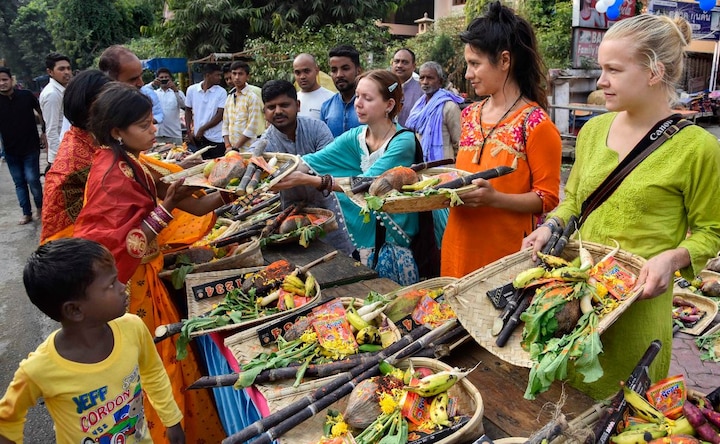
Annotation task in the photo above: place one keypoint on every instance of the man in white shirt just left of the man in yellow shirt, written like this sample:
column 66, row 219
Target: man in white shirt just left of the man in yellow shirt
column 204, row 107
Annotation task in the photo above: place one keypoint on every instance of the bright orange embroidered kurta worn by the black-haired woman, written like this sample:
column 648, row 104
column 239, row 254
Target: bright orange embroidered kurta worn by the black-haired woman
column 475, row 237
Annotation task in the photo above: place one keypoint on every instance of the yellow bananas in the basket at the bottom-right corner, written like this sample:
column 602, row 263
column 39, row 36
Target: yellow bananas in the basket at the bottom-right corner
column 657, row 425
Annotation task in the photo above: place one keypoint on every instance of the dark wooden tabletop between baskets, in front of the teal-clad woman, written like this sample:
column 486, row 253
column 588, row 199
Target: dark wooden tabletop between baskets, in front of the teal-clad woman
column 340, row 270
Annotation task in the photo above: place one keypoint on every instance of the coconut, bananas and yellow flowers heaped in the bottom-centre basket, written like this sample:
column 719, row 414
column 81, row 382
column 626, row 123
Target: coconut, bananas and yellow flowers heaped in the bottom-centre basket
column 398, row 406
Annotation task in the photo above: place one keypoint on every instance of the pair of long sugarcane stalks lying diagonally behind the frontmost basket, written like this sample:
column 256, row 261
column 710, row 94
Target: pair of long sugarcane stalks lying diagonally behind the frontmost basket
column 411, row 343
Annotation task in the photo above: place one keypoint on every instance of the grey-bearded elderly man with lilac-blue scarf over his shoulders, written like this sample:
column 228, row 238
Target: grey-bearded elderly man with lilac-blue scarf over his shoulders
column 436, row 115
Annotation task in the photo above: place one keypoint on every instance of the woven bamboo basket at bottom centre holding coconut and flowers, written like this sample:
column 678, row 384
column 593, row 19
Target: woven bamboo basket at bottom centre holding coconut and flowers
column 469, row 403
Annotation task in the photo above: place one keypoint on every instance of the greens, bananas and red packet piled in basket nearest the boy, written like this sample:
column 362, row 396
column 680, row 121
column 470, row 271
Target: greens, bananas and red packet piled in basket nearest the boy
column 276, row 288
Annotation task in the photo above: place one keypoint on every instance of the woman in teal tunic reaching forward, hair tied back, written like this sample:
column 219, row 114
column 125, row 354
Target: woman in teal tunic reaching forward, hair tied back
column 367, row 150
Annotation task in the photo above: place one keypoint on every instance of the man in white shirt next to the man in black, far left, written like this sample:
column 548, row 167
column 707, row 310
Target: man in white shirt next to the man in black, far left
column 51, row 97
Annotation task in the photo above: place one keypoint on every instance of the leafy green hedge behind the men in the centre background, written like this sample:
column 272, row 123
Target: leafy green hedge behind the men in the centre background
column 273, row 56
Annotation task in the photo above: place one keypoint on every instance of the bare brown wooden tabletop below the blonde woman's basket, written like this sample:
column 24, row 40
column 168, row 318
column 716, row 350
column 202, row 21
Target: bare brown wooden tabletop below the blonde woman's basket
column 502, row 387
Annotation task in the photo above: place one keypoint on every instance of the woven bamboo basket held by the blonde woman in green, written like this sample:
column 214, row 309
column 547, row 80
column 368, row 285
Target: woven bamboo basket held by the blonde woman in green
column 476, row 313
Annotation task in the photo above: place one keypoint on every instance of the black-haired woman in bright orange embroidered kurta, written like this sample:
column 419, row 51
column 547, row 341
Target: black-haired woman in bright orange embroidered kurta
column 508, row 128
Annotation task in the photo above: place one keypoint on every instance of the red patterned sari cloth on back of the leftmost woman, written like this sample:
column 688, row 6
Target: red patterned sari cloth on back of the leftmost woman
column 65, row 184
